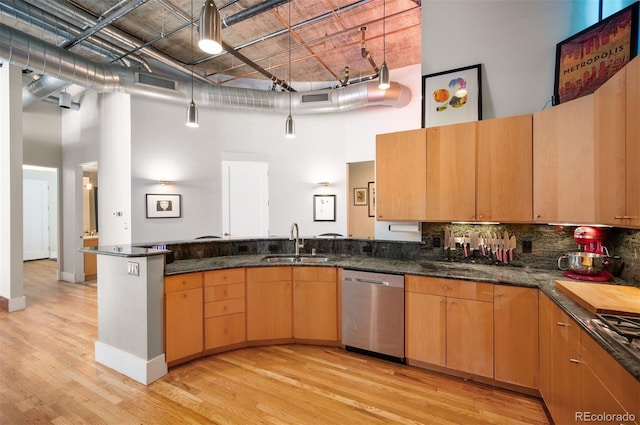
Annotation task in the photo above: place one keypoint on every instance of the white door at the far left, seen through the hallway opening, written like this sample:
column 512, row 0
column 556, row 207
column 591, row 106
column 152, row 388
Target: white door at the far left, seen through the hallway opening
column 35, row 219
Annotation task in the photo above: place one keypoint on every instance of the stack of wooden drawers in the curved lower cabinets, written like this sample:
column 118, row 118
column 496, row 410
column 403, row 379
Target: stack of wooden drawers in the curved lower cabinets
column 224, row 309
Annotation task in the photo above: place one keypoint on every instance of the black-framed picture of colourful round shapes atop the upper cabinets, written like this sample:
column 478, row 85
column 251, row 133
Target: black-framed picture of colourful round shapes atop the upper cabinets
column 451, row 97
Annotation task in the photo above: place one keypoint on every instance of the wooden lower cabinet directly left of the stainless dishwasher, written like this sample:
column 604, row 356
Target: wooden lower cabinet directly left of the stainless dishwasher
column 315, row 304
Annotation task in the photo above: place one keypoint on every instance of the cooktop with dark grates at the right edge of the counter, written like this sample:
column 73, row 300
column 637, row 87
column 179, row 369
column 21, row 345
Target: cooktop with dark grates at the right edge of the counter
column 623, row 329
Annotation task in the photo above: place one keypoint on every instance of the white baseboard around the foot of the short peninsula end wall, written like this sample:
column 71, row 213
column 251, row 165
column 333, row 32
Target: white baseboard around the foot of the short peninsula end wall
column 143, row 371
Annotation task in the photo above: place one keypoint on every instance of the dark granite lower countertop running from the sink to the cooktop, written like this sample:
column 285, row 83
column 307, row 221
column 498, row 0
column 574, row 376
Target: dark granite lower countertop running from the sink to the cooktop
column 498, row 274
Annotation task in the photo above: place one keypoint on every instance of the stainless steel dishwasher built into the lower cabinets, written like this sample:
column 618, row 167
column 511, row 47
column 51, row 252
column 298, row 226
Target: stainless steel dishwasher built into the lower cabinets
column 373, row 314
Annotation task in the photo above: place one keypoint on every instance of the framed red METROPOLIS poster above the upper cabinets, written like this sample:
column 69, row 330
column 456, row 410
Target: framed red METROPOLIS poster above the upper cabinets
column 589, row 58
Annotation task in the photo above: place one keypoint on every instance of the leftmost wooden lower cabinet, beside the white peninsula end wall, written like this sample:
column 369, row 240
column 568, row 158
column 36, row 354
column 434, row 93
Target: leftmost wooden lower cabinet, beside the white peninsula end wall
column 183, row 305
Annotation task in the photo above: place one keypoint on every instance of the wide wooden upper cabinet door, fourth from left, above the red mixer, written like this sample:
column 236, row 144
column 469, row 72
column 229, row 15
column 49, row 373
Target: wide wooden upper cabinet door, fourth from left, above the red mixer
column 563, row 163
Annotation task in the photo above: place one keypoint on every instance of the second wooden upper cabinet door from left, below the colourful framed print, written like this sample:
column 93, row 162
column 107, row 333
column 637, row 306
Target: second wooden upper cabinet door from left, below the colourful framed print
column 451, row 173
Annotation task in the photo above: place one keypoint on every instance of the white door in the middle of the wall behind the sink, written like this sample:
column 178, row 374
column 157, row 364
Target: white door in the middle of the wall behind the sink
column 245, row 195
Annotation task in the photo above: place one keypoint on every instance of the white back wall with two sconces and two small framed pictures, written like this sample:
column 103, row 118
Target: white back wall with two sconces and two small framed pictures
column 163, row 148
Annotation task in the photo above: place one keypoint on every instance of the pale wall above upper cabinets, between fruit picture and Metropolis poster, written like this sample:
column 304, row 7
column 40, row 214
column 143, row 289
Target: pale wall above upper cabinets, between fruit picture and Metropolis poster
column 515, row 41
